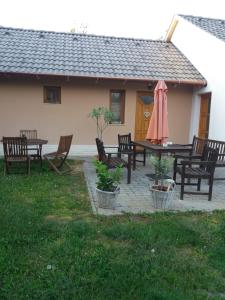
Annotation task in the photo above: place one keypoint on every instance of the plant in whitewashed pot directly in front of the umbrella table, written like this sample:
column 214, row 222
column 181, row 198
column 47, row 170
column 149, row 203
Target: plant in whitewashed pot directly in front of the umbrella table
column 163, row 188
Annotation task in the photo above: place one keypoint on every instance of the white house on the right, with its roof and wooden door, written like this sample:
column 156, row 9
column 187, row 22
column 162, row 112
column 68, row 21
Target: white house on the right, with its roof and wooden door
column 202, row 41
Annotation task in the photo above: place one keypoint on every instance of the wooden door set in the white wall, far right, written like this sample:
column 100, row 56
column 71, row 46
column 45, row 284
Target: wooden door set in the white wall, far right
column 204, row 117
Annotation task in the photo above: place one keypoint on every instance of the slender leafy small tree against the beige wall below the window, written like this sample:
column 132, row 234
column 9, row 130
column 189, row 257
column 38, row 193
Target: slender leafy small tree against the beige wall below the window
column 103, row 117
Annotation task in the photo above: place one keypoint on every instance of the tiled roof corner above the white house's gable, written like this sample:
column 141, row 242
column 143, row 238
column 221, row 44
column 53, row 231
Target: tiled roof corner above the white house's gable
column 213, row 26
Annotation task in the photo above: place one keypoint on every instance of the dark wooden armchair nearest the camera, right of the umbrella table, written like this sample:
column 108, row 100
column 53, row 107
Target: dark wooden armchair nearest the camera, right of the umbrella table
column 205, row 168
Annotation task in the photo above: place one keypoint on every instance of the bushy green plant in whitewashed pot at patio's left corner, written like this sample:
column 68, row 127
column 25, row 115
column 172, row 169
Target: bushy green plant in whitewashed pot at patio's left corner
column 107, row 189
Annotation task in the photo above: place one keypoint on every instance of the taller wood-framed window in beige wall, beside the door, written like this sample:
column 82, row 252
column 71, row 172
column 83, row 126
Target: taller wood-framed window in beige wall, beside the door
column 117, row 105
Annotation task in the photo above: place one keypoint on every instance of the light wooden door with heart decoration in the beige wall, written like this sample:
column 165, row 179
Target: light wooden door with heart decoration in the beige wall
column 144, row 107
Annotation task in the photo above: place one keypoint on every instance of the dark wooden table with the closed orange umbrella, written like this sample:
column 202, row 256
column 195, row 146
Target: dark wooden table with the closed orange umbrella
column 159, row 149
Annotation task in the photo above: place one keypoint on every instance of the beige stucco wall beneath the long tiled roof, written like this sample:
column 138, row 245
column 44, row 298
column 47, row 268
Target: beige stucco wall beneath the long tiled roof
column 22, row 107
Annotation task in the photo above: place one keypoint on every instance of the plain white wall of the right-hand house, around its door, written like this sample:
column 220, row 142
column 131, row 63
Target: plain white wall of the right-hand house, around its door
column 207, row 54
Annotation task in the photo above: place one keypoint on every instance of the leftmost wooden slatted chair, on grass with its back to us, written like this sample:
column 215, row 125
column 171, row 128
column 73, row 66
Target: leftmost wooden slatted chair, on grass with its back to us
column 15, row 151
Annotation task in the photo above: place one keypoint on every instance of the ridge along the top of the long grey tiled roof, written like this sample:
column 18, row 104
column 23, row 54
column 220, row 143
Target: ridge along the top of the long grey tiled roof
column 81, row 34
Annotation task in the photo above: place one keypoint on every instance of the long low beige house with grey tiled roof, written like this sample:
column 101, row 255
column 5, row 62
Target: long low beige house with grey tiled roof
column 50, row 81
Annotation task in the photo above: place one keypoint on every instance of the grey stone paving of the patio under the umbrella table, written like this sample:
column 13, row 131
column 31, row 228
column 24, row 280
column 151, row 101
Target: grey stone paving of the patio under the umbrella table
column 136, row 197
